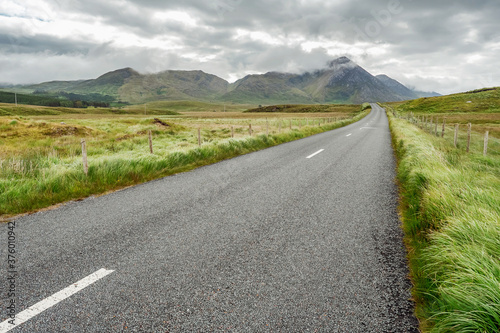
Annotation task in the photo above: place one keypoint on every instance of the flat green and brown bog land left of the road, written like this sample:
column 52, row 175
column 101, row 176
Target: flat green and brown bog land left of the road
column 41, row 147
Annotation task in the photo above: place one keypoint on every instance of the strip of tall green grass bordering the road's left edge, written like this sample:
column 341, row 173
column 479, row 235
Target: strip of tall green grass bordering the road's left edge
column 41, row 180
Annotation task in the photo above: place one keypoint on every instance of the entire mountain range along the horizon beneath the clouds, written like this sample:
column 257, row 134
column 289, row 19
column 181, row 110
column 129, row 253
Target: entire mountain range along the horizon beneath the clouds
column 342, row 81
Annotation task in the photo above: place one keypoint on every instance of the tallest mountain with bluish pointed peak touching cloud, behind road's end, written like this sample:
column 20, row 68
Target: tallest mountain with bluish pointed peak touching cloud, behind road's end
column 343, row 81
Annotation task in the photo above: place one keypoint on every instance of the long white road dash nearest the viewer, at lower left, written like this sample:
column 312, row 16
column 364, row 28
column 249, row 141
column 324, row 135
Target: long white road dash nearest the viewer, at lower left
column 49, row 302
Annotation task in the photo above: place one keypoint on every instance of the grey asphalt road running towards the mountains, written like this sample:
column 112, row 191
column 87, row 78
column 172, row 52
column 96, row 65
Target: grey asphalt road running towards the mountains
column 271, row 241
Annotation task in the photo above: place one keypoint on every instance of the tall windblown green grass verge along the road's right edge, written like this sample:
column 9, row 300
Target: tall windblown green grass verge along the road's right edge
column 451, row 218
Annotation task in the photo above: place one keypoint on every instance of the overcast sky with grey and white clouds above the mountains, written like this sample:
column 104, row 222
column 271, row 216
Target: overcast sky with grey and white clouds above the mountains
column 446, row 46
